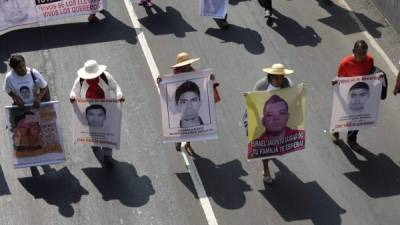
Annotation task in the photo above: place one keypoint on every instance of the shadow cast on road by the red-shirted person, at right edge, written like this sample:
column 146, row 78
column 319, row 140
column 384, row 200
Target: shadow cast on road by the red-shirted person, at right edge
column 378, row 175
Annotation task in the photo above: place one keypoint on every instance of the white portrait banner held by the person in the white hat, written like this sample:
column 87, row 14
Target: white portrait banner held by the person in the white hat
column 97, row 122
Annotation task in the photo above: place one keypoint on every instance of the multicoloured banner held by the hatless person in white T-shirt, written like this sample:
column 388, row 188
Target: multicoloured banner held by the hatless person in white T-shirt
column 35, row 135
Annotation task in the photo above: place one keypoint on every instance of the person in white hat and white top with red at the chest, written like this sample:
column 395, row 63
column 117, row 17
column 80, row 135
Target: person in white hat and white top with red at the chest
column 94, row 82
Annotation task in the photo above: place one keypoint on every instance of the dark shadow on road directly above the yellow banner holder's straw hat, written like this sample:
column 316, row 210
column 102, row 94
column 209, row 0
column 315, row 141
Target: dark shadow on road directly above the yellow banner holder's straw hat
column 294, row 33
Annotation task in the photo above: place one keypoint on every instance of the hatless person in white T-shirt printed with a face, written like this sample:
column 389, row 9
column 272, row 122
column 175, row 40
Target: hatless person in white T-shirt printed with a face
column 20, row 78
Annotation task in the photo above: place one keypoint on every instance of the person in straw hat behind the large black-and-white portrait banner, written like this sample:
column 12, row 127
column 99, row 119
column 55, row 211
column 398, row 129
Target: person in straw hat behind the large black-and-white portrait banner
column 183, row 65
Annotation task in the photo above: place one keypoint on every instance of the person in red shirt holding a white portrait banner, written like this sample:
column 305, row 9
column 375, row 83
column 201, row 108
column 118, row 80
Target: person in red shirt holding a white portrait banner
column 359, row 63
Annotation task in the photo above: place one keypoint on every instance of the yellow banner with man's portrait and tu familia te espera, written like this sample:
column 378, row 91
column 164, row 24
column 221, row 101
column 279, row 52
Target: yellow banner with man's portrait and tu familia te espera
column 276, row 122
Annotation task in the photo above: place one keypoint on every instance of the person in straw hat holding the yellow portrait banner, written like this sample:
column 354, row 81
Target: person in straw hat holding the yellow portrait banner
column 274, row 80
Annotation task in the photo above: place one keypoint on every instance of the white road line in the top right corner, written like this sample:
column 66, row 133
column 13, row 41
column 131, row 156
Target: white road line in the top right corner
column 371, row 40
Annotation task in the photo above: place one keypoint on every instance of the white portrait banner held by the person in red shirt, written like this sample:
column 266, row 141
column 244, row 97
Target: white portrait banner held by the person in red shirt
column 356, row 102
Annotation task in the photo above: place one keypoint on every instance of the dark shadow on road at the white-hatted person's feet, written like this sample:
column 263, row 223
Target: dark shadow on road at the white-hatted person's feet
column 121, row 182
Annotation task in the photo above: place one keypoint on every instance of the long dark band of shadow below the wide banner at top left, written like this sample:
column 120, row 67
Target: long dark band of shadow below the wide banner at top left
column 62, row 35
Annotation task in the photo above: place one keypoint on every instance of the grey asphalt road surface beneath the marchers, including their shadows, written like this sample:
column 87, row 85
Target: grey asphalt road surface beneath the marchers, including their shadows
column 326, row 184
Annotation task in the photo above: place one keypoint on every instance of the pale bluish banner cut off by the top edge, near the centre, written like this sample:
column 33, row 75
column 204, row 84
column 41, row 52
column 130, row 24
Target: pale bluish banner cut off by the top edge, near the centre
column 213, row 8
